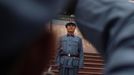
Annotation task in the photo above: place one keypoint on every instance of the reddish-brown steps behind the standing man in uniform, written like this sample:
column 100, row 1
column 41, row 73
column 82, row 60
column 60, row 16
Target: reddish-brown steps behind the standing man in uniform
column 93, row 65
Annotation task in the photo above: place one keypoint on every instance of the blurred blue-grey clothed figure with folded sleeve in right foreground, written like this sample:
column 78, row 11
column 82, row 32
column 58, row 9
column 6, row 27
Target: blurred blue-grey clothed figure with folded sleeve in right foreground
column 109, row 26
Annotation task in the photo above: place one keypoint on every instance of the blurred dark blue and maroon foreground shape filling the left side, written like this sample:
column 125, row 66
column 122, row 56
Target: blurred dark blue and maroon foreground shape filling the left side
column 23, row 34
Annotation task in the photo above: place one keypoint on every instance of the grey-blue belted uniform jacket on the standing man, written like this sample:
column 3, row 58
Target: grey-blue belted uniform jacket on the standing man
column 72, row 45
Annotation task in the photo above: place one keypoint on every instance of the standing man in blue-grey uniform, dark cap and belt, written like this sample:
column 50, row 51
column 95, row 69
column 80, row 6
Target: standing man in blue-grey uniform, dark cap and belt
column 70, row 52
